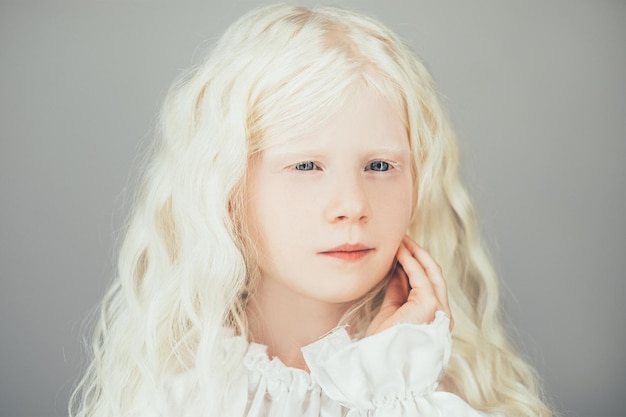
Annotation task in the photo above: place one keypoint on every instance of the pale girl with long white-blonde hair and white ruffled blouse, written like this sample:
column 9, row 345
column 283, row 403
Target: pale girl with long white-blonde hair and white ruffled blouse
column 270, row 266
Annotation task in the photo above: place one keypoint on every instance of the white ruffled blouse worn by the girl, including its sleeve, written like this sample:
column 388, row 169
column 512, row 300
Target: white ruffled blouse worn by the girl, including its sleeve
column 392, row 374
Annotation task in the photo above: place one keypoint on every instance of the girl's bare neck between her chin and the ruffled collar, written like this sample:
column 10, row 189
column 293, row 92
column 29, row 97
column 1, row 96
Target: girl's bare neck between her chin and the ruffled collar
column 285, row 321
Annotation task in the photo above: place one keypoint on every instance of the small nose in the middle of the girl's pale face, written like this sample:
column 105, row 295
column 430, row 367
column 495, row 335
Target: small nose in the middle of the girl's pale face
column 348, row 201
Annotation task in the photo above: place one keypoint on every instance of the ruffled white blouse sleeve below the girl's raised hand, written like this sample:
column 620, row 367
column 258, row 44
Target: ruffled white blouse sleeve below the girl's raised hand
column 392, row 373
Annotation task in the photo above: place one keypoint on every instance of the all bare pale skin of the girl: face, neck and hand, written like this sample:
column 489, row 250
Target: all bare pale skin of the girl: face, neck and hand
column 321, row 215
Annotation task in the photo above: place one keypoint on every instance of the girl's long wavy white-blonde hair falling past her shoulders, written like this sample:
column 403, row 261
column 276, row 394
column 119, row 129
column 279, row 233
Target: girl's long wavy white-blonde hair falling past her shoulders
column 186, row 266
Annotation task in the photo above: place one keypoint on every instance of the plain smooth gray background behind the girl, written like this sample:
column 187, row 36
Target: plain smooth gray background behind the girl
column 537, row 92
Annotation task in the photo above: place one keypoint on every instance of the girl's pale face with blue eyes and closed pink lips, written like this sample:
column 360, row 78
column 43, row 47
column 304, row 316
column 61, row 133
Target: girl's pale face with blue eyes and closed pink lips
column 328, row 210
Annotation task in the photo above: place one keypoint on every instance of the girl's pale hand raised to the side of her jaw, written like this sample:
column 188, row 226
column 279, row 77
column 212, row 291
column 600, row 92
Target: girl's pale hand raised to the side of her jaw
column 415, row 291
